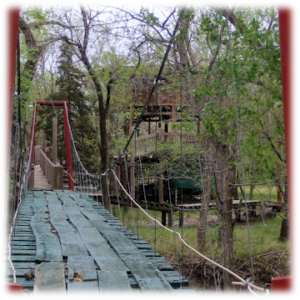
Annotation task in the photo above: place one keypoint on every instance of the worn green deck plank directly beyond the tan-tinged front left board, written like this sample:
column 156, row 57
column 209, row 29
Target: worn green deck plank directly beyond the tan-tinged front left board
column 47, row 244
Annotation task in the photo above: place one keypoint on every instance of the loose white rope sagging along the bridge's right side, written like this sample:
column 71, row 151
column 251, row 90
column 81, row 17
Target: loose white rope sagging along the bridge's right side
column 241, row 281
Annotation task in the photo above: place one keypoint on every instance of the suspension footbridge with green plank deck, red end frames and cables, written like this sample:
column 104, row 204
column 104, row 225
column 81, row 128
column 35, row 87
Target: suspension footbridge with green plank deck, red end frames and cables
column 60, row 243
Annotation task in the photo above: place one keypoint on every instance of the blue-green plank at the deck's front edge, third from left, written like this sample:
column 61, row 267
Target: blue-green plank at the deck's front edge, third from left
column 114, row 285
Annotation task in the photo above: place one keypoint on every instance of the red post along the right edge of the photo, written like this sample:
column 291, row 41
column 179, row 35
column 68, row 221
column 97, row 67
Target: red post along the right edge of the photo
column 289, row 51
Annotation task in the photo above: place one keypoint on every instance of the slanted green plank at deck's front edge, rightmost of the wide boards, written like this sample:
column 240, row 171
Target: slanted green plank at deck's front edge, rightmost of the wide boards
column 152, row 284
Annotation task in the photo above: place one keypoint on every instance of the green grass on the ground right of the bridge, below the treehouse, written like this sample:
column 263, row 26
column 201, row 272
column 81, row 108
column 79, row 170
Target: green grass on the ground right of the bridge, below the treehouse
column 263, row 235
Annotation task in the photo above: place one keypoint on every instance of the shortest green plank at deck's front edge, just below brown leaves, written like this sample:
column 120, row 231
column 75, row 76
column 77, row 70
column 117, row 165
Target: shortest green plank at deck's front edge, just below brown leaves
column 83, row 289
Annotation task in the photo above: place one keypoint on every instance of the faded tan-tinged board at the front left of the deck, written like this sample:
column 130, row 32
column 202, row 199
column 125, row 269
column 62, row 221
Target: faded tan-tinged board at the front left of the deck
column 50, row 281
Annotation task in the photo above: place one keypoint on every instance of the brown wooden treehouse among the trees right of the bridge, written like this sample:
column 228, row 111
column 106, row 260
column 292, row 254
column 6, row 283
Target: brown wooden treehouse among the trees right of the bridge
column 163, row 110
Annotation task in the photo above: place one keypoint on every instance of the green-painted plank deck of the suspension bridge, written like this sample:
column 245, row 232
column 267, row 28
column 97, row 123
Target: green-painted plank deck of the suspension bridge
column 77, row 249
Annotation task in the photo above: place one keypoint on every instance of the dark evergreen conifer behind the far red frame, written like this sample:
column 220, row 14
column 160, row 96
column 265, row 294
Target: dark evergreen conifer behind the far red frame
column 71, row 86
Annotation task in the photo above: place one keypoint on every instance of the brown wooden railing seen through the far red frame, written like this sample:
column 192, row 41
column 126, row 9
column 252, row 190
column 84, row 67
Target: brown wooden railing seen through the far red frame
column 54, row 173
